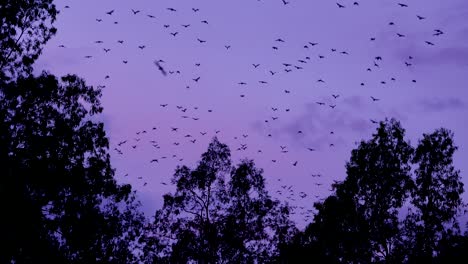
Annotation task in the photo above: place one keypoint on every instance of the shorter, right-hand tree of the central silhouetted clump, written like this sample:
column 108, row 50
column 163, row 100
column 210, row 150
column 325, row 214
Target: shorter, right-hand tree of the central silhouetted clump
column 255, row 225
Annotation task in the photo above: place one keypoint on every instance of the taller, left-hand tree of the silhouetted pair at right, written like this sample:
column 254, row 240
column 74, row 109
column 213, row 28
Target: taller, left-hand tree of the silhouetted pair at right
column 359, row 223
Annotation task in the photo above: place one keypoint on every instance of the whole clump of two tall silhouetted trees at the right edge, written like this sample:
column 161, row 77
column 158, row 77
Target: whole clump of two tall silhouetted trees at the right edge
column 360, row 223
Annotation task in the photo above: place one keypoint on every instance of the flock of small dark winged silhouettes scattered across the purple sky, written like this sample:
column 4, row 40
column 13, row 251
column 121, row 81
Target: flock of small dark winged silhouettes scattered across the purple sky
column 195, row 113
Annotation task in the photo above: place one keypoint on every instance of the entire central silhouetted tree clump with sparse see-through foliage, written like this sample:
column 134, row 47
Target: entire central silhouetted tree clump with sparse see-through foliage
column 209, row 220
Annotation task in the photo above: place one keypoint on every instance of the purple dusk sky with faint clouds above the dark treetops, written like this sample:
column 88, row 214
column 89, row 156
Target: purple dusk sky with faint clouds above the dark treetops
column 253, row 72
